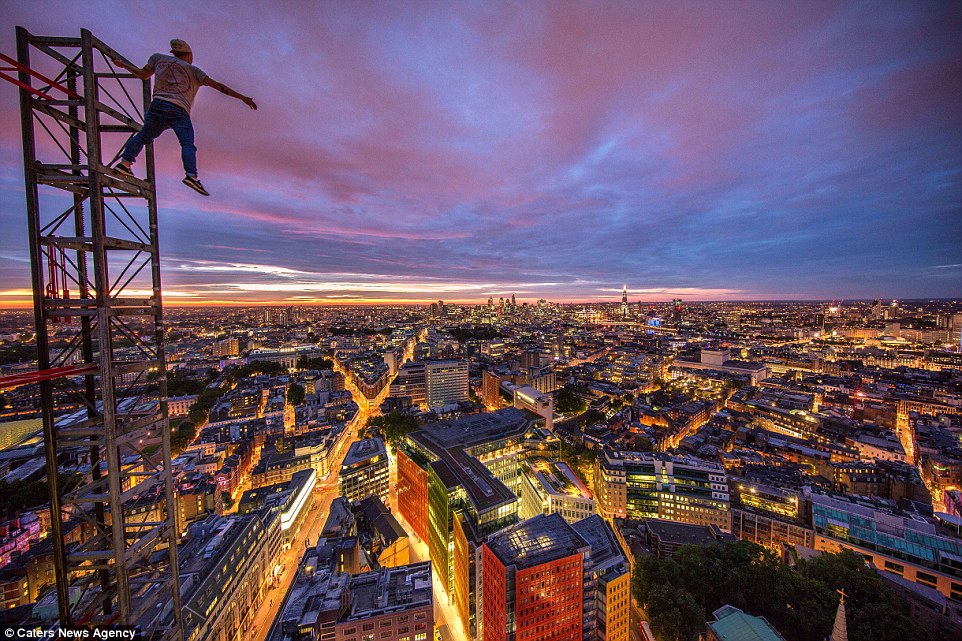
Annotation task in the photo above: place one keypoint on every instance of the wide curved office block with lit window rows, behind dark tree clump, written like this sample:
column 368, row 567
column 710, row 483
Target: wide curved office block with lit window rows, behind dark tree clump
column 641, row 485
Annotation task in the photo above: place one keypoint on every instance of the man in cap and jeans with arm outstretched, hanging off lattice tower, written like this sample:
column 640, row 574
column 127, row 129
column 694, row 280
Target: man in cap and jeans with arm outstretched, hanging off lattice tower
column 176, row 85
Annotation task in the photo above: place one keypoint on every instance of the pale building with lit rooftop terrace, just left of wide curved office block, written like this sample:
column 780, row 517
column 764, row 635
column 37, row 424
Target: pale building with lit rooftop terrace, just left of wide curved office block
column 549, row 486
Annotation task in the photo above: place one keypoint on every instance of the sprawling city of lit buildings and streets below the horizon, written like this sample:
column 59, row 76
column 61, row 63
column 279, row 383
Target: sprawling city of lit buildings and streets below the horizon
column 524, row 471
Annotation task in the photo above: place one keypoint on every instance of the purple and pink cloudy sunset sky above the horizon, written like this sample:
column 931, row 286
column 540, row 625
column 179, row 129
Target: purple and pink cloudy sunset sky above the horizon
column 459, row 150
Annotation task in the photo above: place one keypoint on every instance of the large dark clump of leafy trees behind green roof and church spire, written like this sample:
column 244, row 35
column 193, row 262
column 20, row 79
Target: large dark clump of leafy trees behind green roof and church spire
column 799, row 602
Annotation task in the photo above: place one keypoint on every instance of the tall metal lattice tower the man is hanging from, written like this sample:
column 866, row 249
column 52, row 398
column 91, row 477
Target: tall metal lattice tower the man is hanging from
column 94, row 232
